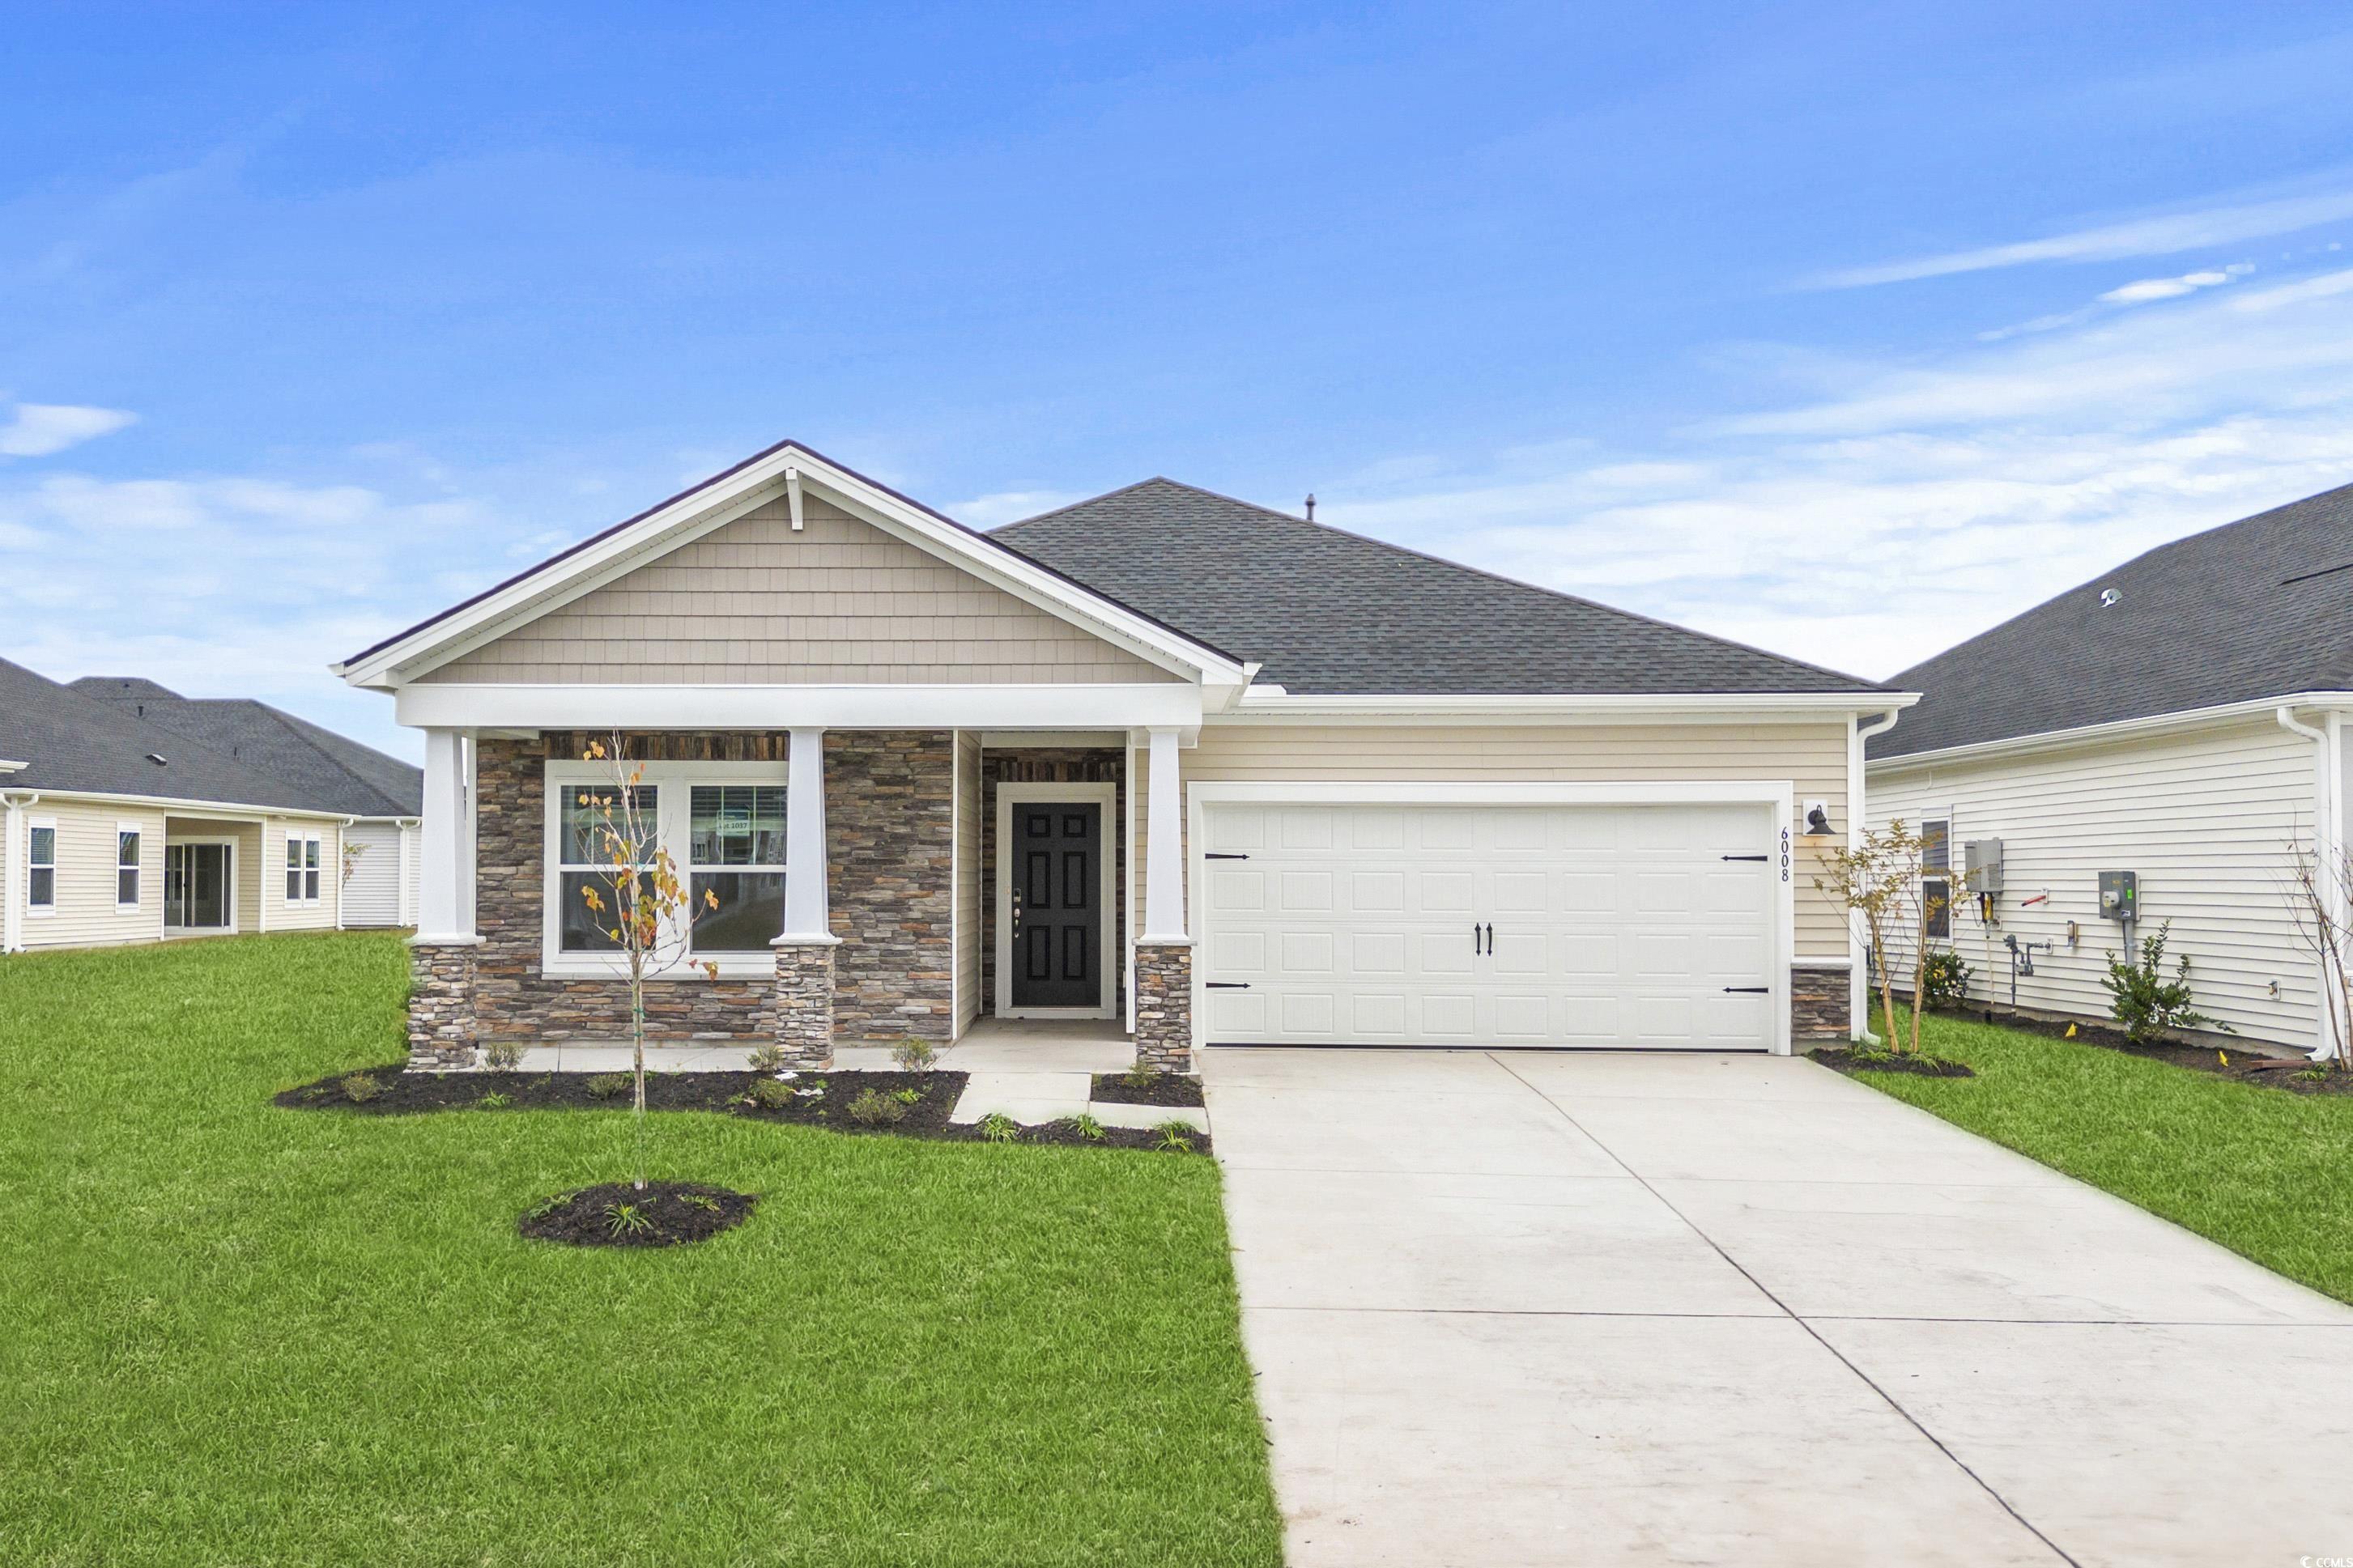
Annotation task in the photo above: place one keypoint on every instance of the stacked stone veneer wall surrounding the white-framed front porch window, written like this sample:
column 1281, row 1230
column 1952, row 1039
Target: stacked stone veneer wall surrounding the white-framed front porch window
column 891, row 829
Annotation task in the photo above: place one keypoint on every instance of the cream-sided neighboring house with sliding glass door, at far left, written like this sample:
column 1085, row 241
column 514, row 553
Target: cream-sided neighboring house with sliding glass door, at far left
column 133, row 815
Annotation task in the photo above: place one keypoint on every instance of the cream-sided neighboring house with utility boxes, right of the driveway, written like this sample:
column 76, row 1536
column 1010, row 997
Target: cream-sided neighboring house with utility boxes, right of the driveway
column 2180, row 718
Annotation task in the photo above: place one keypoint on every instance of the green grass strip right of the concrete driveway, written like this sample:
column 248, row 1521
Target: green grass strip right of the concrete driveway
column 2267, row 1174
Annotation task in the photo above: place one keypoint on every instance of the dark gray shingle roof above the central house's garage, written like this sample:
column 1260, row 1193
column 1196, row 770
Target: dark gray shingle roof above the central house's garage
column 1333, row 615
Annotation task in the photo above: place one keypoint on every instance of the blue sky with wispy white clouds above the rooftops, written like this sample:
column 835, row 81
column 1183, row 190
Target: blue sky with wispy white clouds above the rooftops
column 1841, row 330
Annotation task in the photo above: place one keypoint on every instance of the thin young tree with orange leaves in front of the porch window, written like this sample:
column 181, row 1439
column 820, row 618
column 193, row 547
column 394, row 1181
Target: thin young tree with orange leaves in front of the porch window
column 636, row 897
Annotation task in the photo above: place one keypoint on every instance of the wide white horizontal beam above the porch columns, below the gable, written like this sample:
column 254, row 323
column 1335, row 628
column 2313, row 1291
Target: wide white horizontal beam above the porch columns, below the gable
column 1044, row 706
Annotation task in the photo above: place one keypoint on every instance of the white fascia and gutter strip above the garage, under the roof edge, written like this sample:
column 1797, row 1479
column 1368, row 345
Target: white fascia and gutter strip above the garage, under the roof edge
column 1491, row 709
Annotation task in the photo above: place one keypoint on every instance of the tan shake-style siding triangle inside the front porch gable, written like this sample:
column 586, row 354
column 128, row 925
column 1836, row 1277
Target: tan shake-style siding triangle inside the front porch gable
column 839, row 603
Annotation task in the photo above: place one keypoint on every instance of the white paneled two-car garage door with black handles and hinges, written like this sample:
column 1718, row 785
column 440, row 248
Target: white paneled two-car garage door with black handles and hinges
column 1401, row 925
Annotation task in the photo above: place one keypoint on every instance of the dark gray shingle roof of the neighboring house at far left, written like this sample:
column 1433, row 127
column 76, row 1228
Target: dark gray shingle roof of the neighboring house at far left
column 102, row 735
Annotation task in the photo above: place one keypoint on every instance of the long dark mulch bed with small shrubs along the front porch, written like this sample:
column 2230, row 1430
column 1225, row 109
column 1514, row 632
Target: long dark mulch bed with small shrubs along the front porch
column 834, row 1104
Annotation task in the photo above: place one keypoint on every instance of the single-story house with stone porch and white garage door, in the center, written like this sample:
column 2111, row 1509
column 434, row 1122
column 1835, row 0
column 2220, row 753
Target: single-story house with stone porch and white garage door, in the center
column 1159, row 758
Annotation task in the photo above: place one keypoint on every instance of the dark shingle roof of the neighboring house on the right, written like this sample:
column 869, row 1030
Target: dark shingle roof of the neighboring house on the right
column 2251, row 610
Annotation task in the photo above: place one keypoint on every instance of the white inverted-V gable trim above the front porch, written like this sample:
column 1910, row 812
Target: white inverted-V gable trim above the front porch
column 735, row 495
